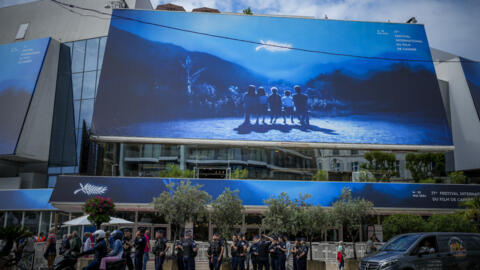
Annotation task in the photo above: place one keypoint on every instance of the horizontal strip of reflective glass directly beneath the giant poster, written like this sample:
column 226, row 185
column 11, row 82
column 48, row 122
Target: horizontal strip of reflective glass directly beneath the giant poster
column 151, row 160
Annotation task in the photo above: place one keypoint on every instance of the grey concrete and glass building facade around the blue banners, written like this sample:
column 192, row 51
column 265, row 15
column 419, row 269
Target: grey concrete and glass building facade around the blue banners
column 77, row 49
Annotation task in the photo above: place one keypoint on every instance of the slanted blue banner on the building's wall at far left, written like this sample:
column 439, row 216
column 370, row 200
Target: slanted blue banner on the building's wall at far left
column 20, row 66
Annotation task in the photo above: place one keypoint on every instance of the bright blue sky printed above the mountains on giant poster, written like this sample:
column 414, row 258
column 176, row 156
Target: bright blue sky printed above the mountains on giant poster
column 357, row 38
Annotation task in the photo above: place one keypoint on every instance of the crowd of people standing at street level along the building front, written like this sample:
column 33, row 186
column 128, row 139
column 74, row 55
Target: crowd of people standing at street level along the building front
column 263, row 253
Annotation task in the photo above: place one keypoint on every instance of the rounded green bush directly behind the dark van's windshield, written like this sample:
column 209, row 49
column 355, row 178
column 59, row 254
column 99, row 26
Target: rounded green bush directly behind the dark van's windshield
column 402, row 223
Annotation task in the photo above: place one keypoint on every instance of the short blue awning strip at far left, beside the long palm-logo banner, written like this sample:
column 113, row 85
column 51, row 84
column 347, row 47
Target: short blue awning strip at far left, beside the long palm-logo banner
column 25, row 200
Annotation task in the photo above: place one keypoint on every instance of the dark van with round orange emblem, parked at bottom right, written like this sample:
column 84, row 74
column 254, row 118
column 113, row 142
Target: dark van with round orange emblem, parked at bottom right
column 422, row 251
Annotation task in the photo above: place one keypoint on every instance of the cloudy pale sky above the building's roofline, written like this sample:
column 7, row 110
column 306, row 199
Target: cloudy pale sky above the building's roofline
column 451, row 25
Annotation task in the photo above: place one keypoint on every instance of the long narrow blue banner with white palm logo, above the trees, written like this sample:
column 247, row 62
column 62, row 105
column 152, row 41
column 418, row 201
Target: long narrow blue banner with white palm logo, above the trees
column 77, row 189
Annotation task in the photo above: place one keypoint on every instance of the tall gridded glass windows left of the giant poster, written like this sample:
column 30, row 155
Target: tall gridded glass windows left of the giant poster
column 87, row 58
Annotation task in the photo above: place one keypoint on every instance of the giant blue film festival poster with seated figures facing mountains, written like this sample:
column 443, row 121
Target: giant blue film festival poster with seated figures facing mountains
column 257, row 78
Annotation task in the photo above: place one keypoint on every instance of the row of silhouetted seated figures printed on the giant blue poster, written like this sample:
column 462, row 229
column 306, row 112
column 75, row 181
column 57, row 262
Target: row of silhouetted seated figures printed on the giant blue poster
column 258, row 105
